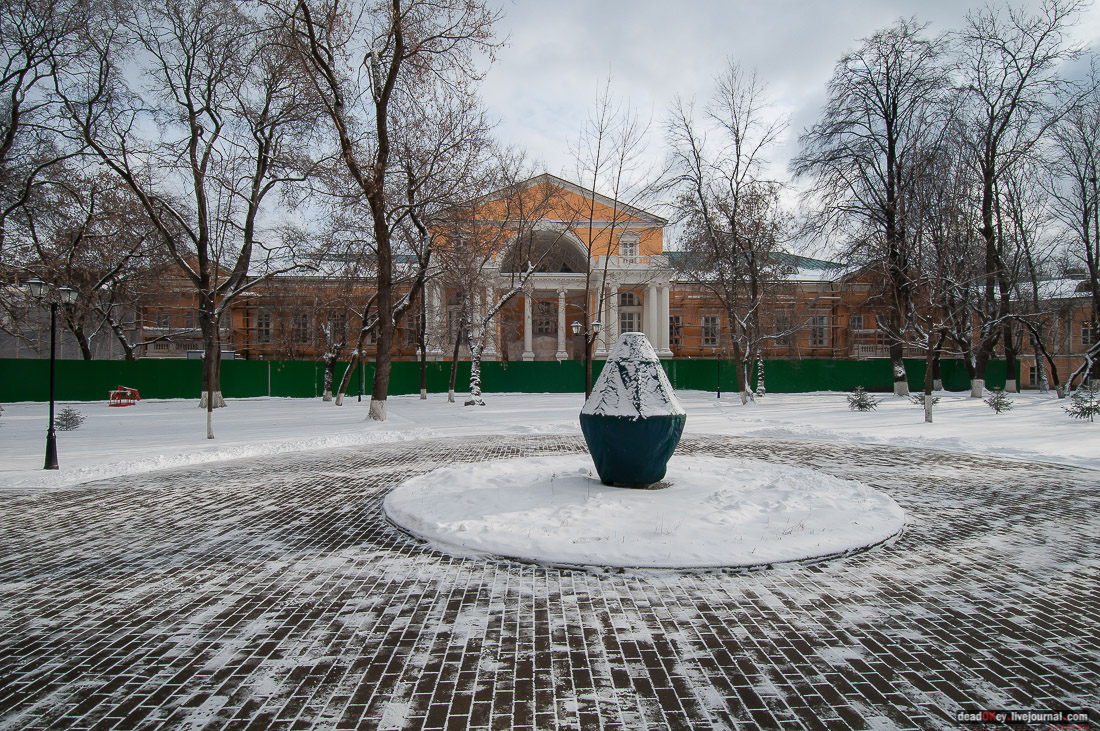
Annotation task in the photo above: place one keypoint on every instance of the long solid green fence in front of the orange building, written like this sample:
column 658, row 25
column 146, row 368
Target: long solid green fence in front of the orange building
column 24, row 380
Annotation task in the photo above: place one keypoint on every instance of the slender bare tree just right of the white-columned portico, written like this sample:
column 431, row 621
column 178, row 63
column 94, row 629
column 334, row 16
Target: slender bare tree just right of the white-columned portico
column 734, row 223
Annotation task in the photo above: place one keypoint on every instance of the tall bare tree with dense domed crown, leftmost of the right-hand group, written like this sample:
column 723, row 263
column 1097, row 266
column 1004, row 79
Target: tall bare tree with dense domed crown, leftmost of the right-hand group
column 886, row 98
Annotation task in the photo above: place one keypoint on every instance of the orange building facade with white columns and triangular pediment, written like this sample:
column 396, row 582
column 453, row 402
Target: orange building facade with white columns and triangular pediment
column 590, row 256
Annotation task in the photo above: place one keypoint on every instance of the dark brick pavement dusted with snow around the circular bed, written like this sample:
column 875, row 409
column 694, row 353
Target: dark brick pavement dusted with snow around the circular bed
column 270, row 594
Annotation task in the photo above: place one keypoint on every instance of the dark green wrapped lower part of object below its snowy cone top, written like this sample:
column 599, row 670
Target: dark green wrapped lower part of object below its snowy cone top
column 632, row 452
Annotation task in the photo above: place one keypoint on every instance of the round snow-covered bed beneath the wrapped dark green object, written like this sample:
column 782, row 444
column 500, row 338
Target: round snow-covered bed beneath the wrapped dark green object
column 716, row 513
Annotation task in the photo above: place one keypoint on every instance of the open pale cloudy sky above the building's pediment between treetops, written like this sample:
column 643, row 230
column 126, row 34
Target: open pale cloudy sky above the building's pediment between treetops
column 559, row 52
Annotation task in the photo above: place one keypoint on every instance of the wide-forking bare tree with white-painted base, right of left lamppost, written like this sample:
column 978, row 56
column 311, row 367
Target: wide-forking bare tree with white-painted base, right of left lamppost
column 233, row 120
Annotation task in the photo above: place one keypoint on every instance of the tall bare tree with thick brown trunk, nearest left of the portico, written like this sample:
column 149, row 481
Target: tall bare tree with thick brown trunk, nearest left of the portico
column 365, row 63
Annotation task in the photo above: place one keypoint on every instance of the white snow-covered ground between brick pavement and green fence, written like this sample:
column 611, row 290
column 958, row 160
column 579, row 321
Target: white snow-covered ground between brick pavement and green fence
column 158, row 435
